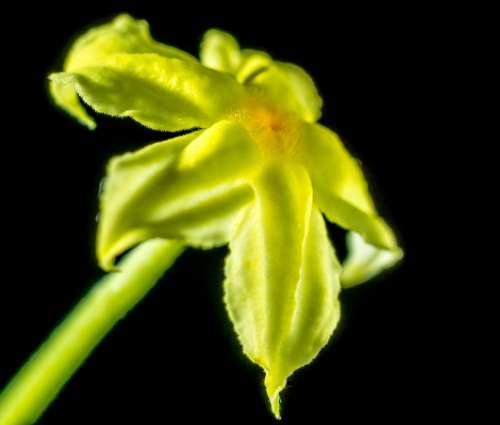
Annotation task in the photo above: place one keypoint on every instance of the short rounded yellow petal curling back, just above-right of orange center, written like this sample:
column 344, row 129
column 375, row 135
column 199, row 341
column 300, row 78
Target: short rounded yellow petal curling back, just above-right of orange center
column 290, row 86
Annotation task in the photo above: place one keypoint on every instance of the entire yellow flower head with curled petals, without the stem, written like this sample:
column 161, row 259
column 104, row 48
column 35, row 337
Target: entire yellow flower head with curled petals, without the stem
column 257, row 172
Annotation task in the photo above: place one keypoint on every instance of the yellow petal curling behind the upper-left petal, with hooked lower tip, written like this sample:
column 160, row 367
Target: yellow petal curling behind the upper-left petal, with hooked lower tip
column 123, row 34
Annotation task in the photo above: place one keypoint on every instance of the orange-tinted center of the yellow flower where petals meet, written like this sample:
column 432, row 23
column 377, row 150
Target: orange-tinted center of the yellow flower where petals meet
column 275, row 131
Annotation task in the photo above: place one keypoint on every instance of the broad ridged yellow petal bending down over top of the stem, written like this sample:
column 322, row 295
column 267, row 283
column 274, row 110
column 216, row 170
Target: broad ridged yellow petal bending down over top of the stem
column 189, row 188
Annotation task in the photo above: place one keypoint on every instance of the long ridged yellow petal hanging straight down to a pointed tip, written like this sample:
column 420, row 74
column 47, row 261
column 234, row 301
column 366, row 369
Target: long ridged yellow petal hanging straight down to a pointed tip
column 282, row 279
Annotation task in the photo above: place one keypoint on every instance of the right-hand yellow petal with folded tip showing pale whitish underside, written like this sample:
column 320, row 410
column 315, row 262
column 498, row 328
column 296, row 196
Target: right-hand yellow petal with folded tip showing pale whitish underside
column 341, row 192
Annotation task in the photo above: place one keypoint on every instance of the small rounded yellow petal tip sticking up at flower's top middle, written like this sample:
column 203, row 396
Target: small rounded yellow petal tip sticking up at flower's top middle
column 219, row 50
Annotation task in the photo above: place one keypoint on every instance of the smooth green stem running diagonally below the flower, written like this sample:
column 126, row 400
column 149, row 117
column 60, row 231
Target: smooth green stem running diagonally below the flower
column 39, row 381
